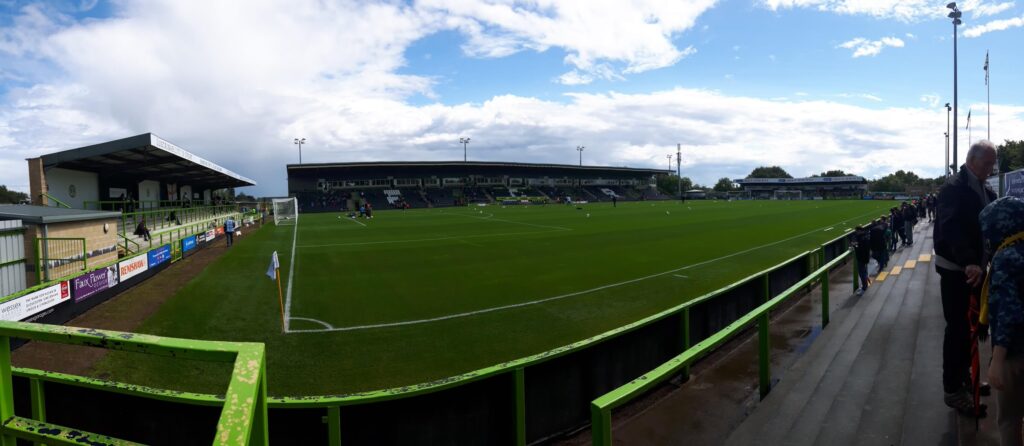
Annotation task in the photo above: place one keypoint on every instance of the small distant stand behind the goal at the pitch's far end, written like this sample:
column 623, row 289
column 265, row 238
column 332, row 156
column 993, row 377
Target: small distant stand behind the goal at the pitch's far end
column 797, row 189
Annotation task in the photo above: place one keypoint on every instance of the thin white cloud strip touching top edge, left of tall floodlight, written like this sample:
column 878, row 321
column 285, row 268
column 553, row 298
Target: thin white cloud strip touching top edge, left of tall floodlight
column 905, row 11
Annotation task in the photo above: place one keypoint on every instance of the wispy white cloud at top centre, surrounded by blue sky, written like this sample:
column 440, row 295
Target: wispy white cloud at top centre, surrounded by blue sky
column 636, row 34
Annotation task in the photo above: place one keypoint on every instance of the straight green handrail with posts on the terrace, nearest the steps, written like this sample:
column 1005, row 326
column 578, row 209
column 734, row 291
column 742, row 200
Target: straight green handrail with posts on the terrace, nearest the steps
column 603, row 407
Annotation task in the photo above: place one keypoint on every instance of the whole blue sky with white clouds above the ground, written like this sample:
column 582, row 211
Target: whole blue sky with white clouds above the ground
column 809, row 85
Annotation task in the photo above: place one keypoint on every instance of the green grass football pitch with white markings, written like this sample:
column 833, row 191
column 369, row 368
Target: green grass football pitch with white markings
column 422, row 295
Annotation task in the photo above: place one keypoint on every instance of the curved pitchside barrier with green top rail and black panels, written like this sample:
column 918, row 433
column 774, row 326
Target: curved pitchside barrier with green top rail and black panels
column 509, row 389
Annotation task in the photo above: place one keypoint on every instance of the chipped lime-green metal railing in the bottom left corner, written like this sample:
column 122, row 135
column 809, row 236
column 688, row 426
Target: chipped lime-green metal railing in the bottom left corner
column 243, row 418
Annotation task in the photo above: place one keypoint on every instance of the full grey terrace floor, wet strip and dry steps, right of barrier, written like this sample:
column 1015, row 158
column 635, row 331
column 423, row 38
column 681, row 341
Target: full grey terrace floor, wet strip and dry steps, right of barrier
column 872, row 378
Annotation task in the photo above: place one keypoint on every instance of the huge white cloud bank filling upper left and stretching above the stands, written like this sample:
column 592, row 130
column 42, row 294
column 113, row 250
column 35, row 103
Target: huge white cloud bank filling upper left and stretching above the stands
column 236, row 85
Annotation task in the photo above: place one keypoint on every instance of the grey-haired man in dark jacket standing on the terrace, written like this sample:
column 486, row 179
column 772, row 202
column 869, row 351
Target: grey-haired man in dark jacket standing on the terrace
column 960, row 260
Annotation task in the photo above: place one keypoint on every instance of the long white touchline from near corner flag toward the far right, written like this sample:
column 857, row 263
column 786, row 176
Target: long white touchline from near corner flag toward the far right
column 557, row 298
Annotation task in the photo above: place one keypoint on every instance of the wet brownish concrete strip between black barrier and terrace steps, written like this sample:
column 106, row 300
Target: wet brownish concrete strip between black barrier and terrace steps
column 723, row 387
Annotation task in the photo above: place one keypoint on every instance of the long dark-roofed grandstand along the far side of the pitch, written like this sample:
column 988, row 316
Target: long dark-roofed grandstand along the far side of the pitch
column 331, row 187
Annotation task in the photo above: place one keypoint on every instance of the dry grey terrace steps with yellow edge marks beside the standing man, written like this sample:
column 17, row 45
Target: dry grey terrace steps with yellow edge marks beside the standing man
column 874, row 377
